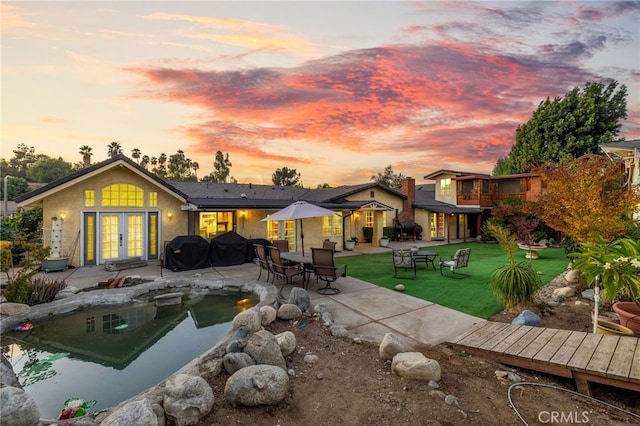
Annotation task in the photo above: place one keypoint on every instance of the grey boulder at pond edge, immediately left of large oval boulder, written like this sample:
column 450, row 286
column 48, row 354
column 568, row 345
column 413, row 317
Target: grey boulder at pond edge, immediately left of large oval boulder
column 187, row 399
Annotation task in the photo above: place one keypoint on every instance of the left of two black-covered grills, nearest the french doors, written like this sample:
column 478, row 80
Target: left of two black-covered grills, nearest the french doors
column 187, row 252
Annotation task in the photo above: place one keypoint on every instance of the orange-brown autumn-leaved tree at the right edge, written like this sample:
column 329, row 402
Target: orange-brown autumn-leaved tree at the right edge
column 587, row 197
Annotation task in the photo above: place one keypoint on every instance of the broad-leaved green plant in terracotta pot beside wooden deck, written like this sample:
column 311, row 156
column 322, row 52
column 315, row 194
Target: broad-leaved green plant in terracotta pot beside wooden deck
column 618, row 265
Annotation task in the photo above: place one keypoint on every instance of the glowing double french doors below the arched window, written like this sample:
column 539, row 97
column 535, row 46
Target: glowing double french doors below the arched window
column 122, row 236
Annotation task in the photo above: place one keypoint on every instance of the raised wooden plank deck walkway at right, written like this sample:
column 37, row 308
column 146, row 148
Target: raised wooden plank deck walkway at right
column 585, row 357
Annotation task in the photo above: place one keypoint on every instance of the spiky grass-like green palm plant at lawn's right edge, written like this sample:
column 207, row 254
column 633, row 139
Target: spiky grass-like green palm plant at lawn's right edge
column 515, row 283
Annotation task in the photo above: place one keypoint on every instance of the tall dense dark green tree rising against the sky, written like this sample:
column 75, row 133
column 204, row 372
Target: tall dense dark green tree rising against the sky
column 568, row 128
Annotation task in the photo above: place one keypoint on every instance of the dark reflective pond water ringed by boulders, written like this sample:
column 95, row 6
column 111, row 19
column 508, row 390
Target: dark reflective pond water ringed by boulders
column 111, row 354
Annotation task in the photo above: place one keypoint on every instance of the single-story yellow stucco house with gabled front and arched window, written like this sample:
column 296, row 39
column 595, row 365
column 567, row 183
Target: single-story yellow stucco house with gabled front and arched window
column 116, row 210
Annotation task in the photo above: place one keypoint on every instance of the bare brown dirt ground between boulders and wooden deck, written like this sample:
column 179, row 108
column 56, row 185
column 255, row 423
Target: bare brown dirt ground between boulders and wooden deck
column 351, row 385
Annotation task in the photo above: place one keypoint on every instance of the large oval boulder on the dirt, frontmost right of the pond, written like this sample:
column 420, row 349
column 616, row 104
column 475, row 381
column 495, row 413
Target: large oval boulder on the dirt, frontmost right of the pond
column 257, row 385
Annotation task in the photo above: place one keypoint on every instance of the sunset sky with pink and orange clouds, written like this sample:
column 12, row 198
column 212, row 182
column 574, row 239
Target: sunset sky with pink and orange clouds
column 335, row 90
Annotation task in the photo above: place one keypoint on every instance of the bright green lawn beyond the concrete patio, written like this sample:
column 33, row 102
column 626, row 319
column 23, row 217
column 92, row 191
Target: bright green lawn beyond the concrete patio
column 471, row 295
